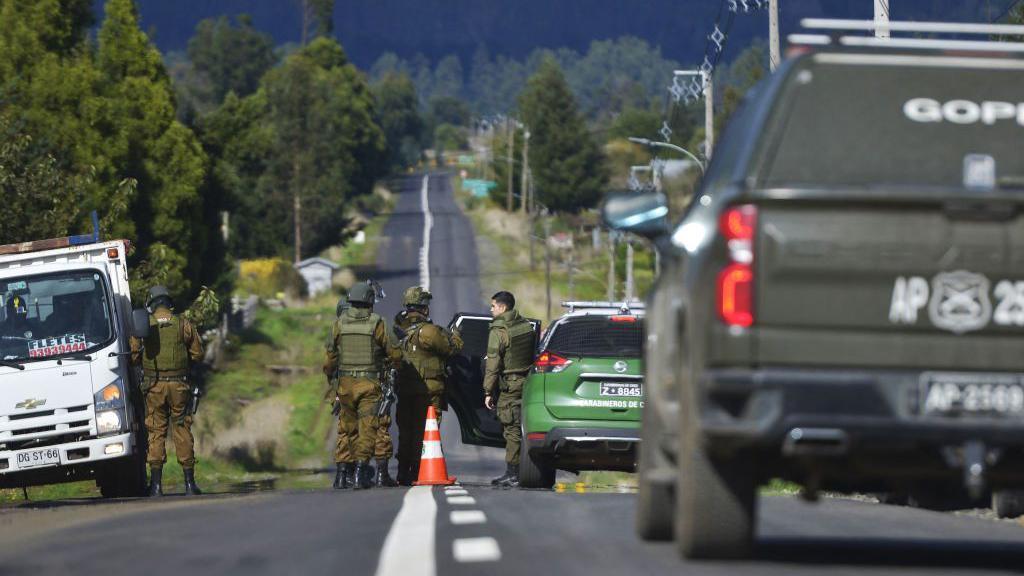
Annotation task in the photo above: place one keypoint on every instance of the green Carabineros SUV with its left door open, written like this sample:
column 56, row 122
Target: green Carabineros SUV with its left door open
column 583, row 399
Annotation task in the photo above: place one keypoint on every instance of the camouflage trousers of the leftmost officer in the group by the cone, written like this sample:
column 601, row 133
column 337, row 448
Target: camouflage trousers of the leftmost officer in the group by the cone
column 358, row 421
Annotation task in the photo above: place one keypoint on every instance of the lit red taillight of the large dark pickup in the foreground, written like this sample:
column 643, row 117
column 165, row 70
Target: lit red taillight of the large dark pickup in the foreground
column 736, row 283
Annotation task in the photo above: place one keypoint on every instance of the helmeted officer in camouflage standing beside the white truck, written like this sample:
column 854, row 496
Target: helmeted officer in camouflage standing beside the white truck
column 165, row 356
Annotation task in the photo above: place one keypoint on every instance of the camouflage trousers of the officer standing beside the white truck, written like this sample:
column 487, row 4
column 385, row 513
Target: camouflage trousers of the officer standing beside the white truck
column 166, row 403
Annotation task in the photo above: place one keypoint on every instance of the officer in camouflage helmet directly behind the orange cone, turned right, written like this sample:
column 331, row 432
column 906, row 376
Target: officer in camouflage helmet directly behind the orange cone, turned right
column 425, row 348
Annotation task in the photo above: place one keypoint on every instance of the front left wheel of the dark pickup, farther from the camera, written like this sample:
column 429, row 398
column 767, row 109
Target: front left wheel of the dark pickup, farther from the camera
column 656, row 499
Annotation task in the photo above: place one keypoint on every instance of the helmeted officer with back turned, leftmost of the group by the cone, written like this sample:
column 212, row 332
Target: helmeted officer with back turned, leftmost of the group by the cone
column 357, row 354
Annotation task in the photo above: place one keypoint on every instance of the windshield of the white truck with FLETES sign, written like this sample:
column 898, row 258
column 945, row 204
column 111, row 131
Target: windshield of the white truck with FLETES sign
column 51, row 315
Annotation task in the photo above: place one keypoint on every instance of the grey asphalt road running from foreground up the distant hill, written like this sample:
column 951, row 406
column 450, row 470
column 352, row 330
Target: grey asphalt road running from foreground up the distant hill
column 471, row 529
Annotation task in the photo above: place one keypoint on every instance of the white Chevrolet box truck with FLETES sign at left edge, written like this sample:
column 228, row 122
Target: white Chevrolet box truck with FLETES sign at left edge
column 70, row 406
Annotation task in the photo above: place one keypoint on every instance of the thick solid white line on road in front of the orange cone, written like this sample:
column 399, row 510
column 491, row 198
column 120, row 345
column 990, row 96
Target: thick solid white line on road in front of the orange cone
column 409, row 549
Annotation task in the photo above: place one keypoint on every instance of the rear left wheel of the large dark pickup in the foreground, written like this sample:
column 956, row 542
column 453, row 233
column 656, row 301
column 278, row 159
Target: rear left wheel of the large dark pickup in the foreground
column 716, row 502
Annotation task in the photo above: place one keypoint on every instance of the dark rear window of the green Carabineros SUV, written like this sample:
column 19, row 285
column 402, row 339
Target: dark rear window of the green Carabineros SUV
column 599, row 337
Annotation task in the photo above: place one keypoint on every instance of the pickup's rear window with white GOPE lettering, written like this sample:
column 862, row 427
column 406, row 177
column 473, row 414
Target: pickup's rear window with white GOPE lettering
column 875, row 119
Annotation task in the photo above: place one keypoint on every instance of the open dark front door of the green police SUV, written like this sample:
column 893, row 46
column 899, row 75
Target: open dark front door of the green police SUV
column 480, row 427
